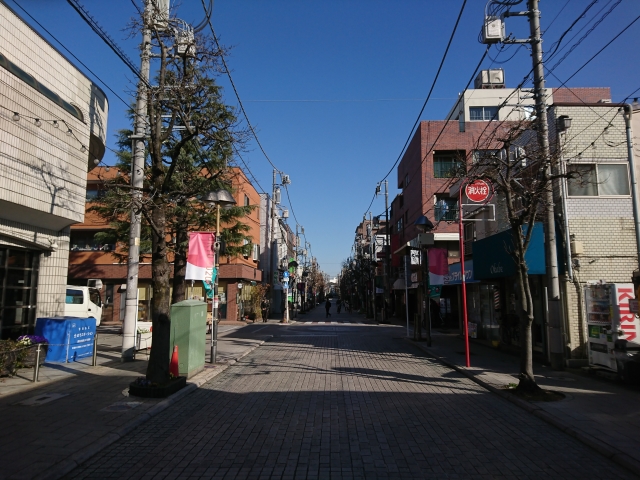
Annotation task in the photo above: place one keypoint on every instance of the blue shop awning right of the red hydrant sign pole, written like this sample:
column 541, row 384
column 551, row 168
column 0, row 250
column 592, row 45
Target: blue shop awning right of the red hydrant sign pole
column 492, row 255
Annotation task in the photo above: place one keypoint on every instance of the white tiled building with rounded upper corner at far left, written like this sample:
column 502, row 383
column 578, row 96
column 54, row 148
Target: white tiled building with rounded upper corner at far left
column 53, row 122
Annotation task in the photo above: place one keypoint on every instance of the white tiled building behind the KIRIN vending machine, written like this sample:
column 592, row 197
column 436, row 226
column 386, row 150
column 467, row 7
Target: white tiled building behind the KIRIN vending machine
column 596, row 209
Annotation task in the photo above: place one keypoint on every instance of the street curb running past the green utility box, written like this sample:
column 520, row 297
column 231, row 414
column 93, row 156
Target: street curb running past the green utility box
column 78, row 458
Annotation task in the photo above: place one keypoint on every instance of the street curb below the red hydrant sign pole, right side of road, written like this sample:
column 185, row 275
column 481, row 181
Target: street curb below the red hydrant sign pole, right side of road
column 600, row 446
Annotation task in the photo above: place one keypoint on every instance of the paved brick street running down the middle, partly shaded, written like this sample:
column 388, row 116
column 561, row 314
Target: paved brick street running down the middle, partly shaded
column 344, row 401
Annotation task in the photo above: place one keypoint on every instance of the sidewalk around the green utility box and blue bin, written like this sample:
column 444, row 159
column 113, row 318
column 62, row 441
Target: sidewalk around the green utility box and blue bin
column 76, row 409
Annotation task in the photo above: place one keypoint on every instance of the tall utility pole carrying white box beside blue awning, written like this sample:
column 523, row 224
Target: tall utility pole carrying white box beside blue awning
column 493, row 32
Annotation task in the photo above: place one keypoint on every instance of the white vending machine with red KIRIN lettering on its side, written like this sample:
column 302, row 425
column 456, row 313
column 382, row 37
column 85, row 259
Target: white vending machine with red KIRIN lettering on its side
column 609, row 319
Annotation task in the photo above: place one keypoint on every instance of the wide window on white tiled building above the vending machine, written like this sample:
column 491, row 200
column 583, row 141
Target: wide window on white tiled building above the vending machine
column 592, row 180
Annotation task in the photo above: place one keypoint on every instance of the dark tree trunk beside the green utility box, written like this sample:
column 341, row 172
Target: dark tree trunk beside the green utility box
column 158, row 367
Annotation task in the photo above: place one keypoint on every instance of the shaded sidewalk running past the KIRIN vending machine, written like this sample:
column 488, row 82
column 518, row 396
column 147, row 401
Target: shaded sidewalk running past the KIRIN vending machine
column 601, row 413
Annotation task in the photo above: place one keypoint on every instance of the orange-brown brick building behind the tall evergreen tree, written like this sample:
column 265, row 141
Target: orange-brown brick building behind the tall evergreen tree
column 89, row 260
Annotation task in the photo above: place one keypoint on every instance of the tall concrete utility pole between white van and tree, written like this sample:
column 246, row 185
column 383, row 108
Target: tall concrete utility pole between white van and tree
column 137, row 182
